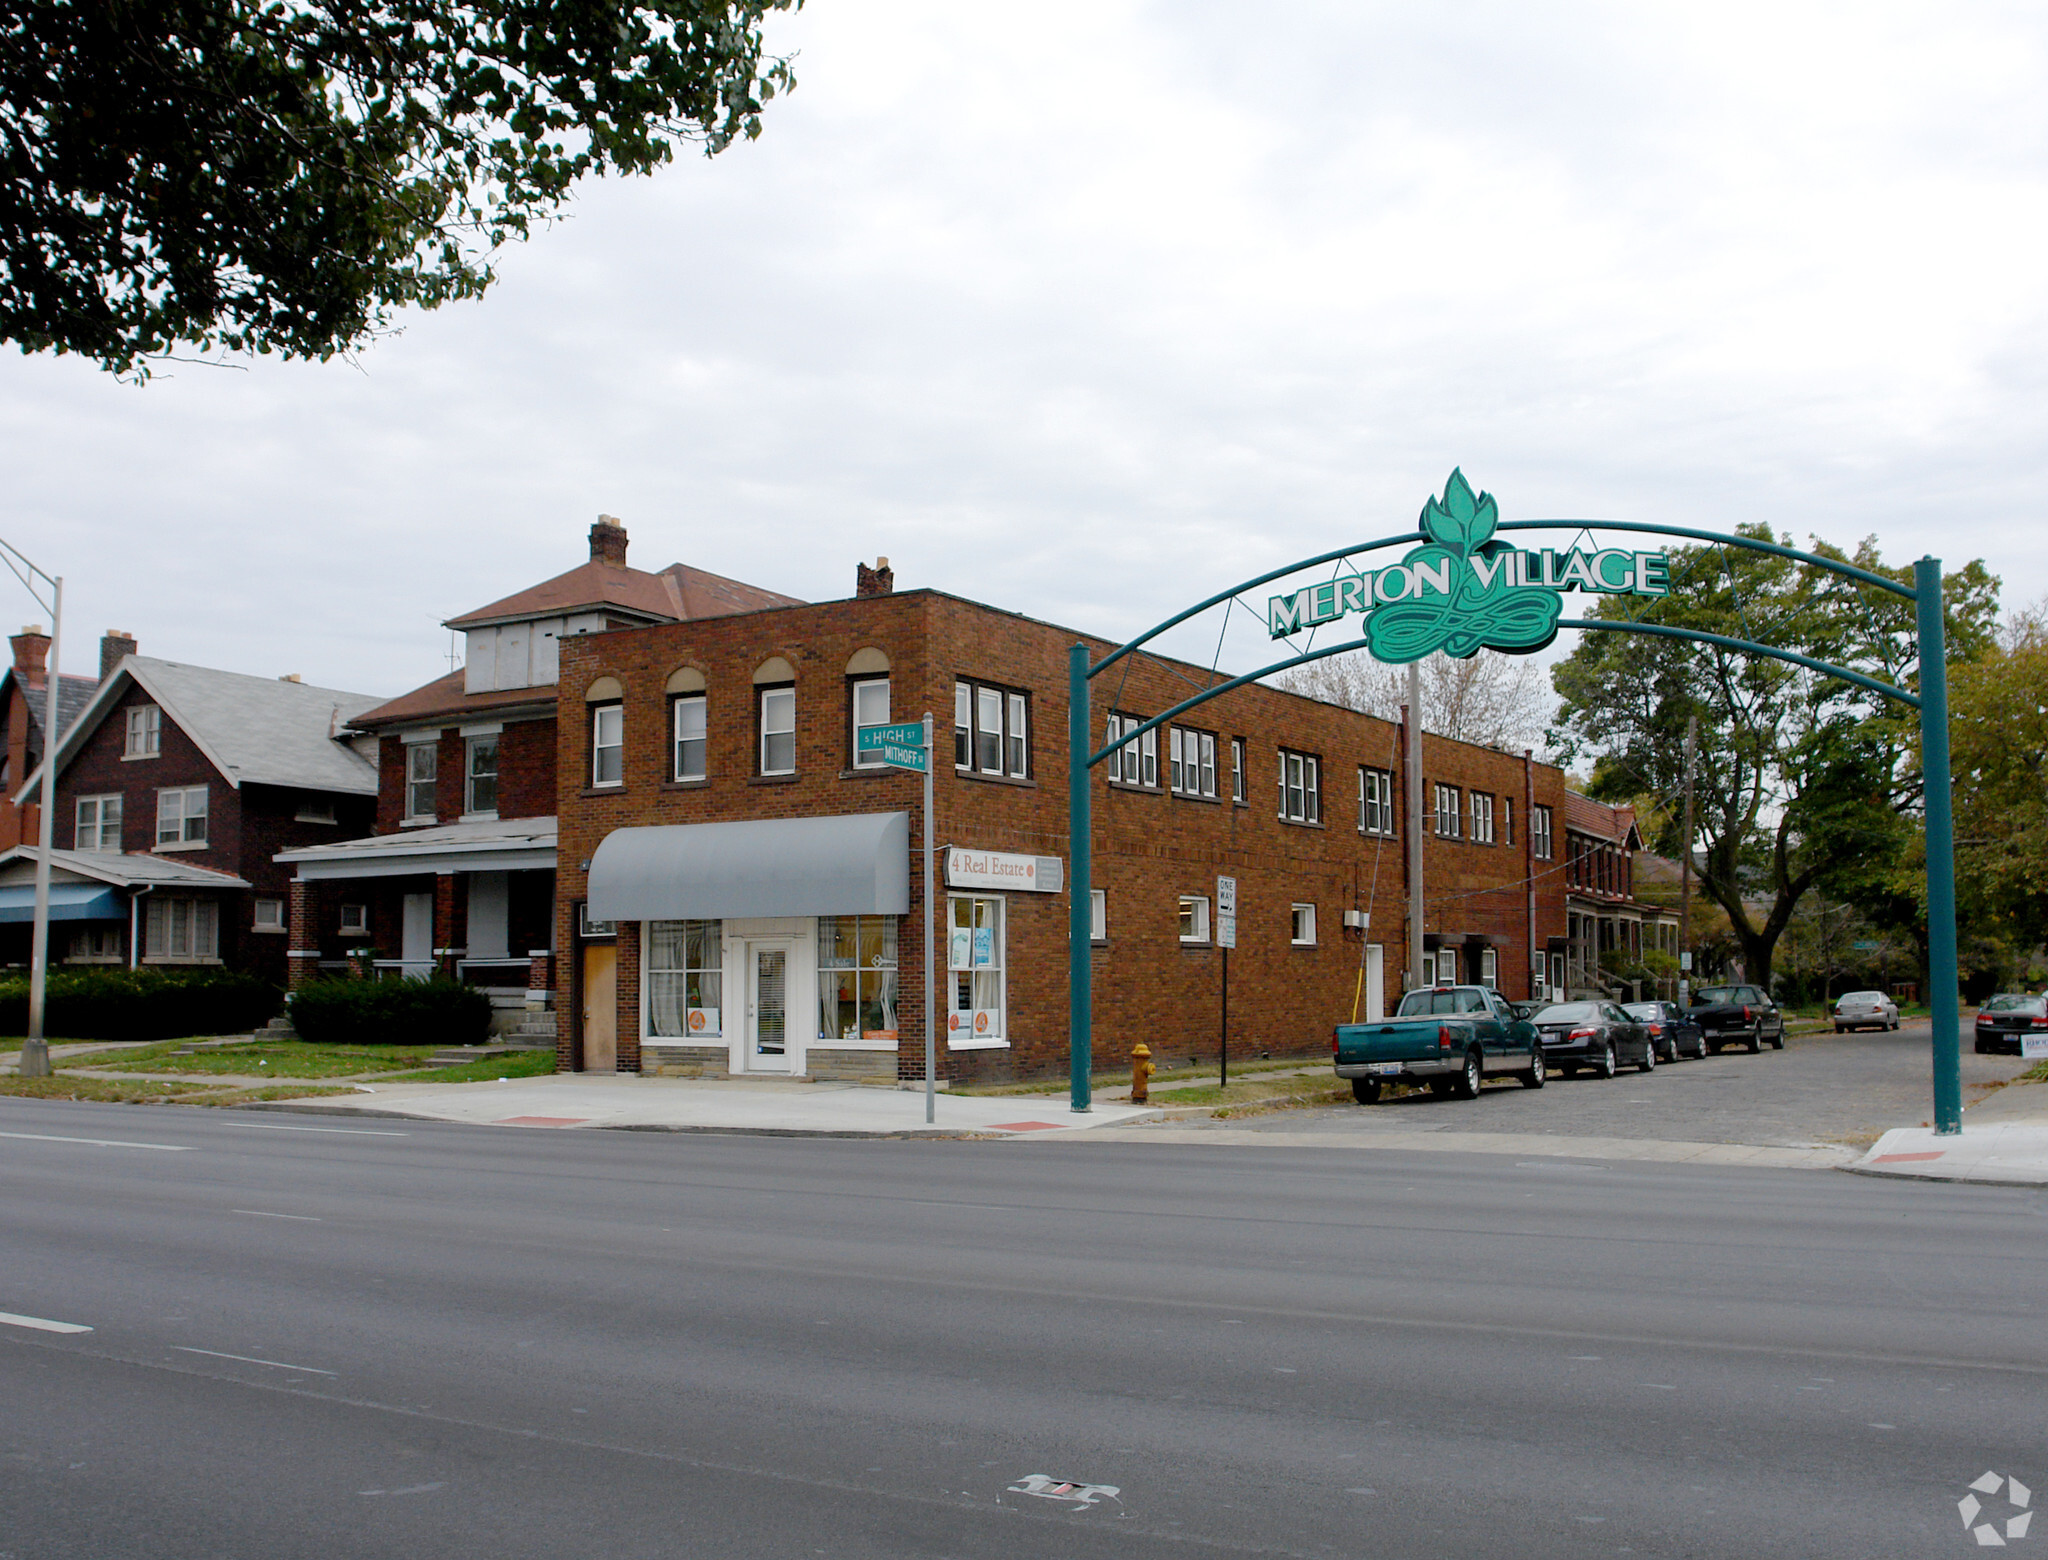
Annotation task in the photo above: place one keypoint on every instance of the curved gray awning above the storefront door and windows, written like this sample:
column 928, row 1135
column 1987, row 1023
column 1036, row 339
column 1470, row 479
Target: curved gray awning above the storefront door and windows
column 775, row 867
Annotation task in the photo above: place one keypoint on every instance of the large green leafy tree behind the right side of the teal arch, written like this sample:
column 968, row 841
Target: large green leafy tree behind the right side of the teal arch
column 1801, row 779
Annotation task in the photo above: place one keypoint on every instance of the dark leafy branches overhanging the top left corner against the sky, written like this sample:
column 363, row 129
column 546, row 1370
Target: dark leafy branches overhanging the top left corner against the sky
column 284, row 175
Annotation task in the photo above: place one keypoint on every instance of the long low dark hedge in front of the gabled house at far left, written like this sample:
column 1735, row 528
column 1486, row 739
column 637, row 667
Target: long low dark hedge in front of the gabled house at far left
column 142, row 1004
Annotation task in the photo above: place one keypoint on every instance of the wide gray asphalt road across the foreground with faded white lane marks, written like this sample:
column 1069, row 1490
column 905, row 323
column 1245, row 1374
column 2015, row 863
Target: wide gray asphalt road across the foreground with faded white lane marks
column 419, row 1340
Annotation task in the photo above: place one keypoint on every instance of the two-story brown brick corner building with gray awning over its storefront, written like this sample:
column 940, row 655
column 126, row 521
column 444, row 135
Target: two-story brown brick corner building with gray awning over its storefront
column 742, row 894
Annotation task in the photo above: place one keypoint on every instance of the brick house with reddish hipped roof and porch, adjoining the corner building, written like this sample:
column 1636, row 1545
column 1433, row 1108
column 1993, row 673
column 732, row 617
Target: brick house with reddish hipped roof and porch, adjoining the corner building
column 458, row 867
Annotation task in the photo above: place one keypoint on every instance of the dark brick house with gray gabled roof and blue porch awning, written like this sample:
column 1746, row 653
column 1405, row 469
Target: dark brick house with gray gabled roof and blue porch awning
column 177, row 787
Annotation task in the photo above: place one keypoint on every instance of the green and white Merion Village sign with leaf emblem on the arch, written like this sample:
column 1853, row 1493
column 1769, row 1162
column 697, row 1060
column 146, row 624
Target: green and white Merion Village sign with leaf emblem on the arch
column 1463, row 591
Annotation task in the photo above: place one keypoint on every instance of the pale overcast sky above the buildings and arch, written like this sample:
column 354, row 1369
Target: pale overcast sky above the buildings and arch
column 1091, row 310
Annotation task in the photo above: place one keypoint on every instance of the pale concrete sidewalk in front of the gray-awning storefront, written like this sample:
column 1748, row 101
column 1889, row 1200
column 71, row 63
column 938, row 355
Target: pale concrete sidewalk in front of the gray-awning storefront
column 759, row 1107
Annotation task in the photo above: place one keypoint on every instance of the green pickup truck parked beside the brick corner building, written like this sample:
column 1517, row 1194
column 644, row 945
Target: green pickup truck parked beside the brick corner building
column 1445, row 1037
